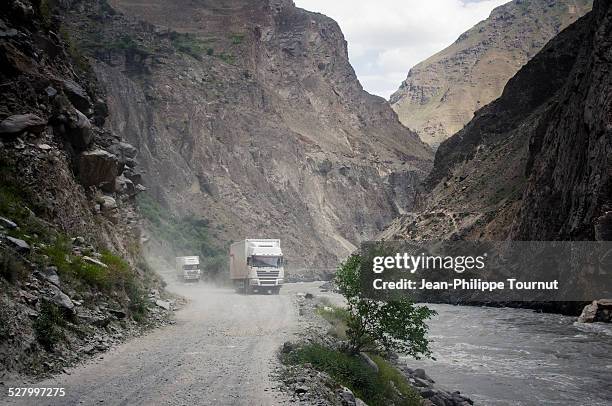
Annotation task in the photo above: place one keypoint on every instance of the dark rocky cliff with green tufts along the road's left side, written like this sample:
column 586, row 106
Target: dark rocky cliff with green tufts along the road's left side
column 72, row 280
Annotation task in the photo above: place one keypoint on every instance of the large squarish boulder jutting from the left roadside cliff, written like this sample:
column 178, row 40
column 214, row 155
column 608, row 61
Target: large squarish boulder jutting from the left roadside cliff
column 98, row 168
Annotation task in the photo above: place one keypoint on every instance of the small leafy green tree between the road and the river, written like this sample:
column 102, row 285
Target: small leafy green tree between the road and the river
column 396, row 325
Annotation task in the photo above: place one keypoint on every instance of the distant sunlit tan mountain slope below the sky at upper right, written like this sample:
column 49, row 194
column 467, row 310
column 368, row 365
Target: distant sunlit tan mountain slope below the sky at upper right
column 441, row 94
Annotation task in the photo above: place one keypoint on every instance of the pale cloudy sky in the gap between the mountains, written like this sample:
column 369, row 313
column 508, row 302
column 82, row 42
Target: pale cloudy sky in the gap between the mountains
column 388, row 37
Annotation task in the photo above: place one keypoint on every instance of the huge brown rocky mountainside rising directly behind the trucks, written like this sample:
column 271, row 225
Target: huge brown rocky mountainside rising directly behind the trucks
column 248, row 114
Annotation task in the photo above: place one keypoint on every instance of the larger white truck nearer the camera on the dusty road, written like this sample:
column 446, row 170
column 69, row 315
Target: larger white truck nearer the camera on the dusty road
column 257, row 265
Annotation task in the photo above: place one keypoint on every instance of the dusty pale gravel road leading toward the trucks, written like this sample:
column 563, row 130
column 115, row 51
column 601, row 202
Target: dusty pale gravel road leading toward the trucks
column 220, row 352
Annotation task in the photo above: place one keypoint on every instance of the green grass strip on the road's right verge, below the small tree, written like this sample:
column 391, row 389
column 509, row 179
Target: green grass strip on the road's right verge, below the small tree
column 353, row 372
